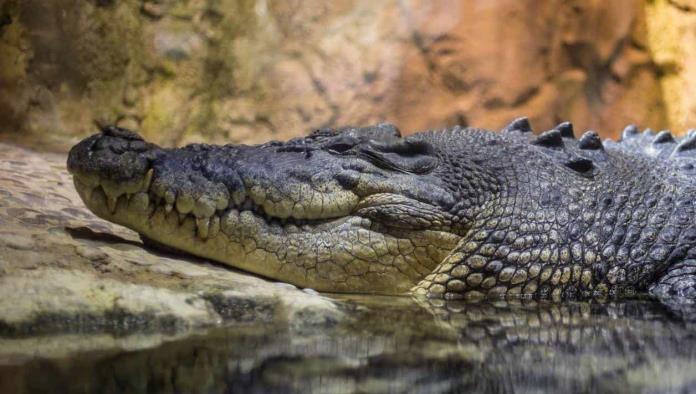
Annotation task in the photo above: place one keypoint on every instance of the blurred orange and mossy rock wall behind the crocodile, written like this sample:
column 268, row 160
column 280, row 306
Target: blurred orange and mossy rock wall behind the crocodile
column 251, row 70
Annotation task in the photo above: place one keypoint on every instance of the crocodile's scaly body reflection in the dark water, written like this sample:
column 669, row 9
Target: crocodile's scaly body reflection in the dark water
column 569, row 347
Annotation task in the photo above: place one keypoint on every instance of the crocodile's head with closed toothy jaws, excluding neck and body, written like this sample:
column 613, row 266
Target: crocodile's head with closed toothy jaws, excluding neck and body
column 353, row 209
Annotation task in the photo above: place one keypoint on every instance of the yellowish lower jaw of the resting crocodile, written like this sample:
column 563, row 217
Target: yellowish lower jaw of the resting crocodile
column 344, row 254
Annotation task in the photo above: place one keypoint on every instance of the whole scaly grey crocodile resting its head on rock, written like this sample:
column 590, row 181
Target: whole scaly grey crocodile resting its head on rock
column 459, row 213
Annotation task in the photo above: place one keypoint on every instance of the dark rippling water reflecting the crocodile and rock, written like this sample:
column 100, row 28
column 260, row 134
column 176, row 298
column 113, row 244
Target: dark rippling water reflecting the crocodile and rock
column 398, row 345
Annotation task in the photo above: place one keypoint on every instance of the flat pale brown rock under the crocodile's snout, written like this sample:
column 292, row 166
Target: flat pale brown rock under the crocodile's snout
column 63, row 270
